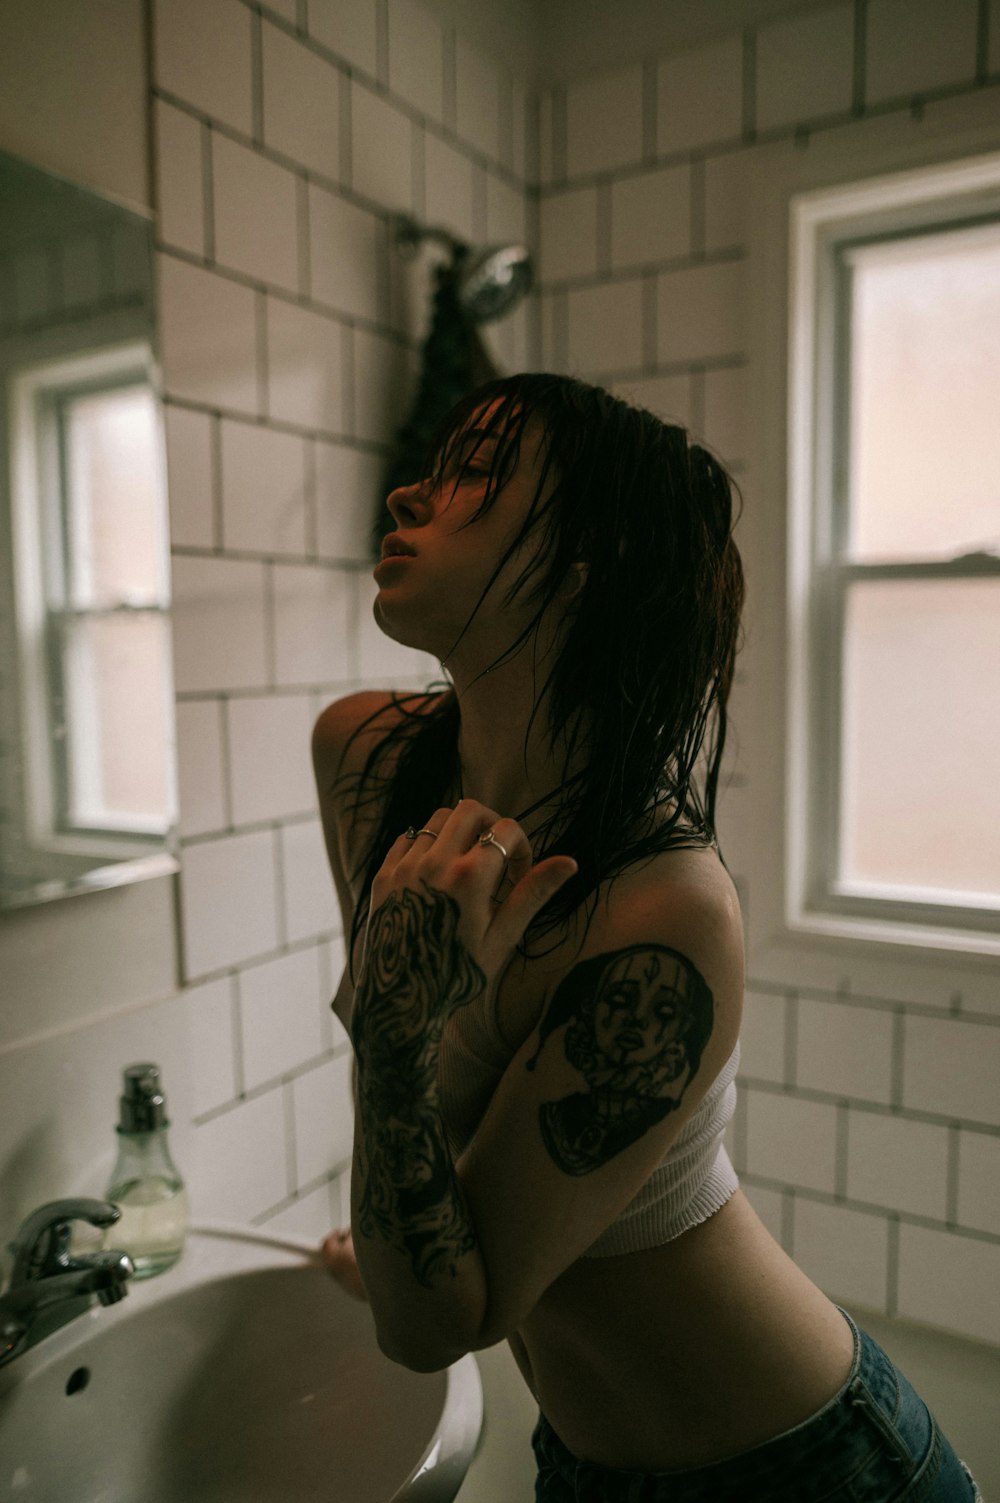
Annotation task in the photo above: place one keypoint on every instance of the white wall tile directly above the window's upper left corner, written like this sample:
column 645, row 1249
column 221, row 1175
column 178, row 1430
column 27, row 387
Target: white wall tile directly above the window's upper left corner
column 805, row 68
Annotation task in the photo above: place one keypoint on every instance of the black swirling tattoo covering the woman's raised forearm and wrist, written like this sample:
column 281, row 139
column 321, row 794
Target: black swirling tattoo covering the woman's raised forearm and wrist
column 419, row 973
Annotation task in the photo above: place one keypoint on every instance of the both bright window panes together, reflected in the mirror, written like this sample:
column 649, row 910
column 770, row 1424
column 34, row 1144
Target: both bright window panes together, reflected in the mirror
column 111, row 664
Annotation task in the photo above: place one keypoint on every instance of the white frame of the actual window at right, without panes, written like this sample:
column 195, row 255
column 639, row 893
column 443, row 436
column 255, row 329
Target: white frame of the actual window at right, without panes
column 822, row 226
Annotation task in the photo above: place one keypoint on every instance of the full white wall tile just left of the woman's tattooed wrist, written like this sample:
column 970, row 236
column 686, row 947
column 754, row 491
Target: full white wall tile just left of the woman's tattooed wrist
column 279, row 1017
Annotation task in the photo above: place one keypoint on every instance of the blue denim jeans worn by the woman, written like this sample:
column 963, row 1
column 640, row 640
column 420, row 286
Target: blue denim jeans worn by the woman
column 876, row 1442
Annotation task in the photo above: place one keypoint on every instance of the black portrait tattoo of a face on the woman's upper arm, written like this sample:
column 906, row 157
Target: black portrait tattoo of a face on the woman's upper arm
column 637, row 1023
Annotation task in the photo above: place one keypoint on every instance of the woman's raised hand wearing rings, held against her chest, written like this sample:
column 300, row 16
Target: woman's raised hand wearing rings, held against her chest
column 437, row 897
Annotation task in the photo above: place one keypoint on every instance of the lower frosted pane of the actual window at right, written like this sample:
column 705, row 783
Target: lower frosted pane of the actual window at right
column 921, row 737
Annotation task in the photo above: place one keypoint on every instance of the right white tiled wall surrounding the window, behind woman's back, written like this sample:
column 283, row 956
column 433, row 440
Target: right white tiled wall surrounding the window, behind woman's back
column 868, row 1122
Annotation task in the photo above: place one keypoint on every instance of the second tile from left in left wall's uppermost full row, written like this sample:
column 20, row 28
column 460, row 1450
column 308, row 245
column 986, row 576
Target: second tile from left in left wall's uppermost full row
column 302, row 104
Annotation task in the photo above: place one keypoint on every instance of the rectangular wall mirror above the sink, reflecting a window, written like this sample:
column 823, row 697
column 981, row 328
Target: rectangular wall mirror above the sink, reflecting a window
column 88, row 785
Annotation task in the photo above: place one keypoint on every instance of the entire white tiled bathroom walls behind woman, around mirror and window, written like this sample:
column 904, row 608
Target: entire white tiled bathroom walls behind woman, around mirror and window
column 280, row 141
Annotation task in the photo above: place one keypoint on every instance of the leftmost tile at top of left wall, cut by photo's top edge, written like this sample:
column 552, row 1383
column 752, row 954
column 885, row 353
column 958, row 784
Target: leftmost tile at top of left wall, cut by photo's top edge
column 204, row 55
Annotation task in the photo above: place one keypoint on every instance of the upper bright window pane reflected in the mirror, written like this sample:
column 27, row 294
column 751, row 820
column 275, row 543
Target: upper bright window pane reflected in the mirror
column 115, row 522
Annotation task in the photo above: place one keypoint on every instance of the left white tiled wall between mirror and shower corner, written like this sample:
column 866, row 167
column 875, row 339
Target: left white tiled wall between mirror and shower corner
column 285, row 144
